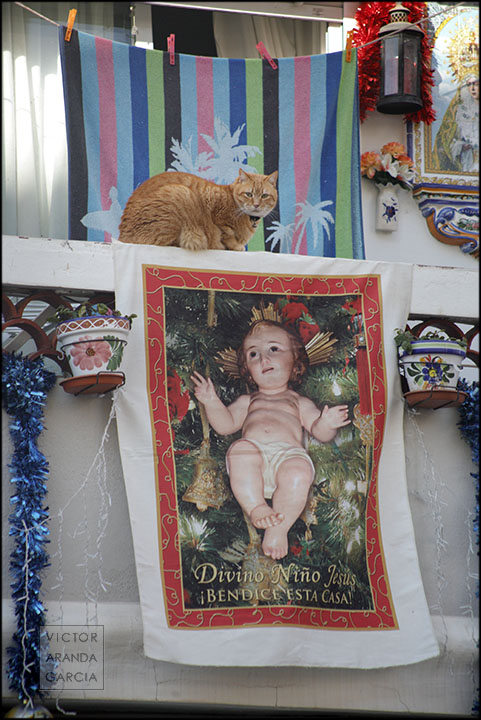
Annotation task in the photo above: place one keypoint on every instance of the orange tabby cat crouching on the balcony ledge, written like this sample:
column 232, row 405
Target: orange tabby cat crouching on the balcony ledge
column 176, row 208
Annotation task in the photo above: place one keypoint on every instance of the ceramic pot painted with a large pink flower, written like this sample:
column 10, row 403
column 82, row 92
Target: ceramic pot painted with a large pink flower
column 93, row 344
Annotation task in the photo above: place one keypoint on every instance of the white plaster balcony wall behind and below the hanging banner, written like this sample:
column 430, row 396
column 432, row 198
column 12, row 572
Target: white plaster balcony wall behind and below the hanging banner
column 85, row 555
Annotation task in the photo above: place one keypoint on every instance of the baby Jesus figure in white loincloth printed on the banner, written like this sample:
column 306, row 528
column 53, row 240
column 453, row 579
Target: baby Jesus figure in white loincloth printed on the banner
column 269, row 462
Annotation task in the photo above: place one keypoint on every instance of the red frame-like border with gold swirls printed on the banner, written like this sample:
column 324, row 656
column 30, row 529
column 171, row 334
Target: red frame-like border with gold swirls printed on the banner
column 369, row 288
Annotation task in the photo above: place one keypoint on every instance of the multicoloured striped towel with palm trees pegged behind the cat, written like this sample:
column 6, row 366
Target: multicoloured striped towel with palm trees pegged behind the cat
column 132, row 114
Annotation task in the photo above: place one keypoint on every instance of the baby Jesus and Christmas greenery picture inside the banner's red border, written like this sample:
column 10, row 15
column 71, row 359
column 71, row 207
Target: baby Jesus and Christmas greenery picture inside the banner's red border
column 272, row 435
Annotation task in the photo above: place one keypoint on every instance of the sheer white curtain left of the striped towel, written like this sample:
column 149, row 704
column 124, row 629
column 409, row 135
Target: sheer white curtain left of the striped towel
column 34, row 146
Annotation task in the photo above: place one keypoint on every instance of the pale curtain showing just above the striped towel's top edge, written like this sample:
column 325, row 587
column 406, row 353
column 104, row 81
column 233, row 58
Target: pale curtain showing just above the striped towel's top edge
column 236, row 36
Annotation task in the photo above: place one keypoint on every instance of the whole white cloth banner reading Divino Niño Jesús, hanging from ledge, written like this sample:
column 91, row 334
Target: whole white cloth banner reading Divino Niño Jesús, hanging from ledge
column 321, row 570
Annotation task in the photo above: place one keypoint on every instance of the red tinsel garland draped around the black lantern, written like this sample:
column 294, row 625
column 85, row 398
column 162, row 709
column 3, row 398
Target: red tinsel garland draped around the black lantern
column 370, row 17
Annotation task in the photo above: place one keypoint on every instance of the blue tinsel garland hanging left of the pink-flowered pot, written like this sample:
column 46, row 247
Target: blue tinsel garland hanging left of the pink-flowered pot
column 25, row 384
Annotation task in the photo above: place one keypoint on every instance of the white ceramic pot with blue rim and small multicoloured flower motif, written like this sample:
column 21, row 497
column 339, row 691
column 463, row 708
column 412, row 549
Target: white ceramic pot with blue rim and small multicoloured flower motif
column 432, row 364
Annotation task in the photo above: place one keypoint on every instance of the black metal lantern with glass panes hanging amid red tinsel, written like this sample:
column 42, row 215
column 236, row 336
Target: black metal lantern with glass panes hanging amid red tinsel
column 401, row 64
